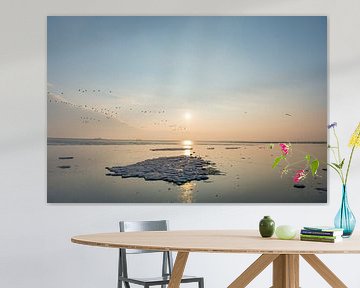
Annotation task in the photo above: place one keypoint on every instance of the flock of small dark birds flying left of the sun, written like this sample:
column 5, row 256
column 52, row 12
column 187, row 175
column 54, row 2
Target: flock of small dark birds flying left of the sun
column 112, row 113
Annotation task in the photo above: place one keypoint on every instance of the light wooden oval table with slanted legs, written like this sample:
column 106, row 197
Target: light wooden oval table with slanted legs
column 284, row 254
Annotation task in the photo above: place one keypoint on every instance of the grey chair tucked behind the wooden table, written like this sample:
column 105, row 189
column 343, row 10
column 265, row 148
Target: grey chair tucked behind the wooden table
column 167, row 262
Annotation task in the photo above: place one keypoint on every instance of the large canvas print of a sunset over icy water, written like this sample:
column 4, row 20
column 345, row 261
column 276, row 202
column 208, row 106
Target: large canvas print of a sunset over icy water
column 186, row 109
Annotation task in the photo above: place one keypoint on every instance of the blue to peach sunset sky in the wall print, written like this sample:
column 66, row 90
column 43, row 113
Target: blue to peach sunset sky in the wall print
column 198, row 78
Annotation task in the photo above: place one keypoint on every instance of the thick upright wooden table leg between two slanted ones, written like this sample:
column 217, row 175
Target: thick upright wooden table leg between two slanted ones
column 286, row 271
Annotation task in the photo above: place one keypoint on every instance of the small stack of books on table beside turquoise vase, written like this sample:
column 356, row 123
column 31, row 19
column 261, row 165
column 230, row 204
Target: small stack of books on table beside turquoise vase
column 321, row 234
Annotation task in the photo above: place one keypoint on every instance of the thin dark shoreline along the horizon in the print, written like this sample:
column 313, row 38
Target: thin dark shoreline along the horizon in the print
column 103, row 141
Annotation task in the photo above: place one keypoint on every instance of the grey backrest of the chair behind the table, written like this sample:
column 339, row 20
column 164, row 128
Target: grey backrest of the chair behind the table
column 137, row 226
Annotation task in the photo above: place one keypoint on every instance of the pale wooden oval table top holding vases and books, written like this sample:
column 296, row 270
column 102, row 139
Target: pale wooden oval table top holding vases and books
column 217, row 241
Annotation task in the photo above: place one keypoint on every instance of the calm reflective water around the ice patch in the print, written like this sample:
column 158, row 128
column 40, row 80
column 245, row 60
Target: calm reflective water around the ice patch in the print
column 248, row 177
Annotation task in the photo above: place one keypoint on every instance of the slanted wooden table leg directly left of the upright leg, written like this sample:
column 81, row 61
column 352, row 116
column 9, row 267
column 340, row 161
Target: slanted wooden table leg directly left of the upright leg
column 253, row 270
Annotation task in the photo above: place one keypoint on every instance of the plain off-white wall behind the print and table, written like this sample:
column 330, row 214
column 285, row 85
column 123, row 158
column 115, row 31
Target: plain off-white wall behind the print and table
column 35, row 248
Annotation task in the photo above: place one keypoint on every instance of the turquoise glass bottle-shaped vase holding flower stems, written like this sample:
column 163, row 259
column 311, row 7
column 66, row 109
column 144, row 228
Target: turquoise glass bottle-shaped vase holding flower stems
column 345, row 219
